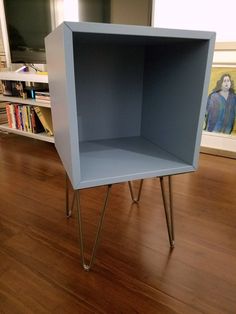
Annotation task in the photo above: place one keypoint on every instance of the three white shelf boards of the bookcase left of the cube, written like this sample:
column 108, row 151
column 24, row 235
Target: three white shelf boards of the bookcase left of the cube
column 25, row 77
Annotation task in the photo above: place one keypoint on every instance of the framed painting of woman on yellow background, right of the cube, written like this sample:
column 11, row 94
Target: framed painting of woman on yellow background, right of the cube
column 219, row 134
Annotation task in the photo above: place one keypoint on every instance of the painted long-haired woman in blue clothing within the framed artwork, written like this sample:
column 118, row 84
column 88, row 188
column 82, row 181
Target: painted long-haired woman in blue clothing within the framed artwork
column 221, row 106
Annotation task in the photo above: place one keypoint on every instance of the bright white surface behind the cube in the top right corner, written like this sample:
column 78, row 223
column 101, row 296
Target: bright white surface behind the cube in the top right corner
column 213, row 15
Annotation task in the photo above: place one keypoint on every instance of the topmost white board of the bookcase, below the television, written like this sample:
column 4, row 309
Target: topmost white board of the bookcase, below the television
column 24, row 77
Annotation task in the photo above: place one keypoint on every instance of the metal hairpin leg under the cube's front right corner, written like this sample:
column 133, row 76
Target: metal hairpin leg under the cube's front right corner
column 169, row 216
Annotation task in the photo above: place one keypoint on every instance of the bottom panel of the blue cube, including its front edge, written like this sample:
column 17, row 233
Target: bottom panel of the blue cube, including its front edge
column 119, row 160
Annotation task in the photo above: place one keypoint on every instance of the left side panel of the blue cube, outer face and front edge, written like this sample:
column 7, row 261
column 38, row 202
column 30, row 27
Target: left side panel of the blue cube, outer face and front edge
column 59, row 54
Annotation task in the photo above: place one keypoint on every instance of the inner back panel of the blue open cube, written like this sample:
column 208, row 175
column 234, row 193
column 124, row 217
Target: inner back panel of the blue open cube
column 109, row 86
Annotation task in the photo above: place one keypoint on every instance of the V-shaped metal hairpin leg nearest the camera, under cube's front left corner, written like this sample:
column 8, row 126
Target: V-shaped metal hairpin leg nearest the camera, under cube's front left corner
column 87, row 266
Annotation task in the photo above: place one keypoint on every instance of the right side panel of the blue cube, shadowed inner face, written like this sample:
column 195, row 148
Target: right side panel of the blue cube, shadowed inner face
column 173, row 96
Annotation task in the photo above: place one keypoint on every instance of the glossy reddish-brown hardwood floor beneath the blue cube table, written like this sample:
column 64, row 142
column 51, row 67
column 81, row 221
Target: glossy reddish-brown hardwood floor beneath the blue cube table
column 135, row 271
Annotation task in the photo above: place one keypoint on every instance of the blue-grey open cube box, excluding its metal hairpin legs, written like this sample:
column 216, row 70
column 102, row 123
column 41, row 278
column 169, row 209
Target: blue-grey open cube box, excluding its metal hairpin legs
column 128, row 102
